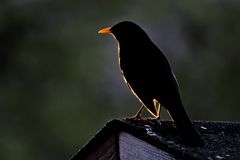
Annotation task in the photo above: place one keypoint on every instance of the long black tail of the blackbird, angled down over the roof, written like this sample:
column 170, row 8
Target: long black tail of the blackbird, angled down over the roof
column 183, row 123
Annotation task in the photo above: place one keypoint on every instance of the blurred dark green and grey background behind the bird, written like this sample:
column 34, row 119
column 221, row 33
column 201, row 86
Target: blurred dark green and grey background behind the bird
column 60, row 81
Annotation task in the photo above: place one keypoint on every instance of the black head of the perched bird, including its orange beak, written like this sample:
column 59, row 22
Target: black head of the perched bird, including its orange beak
column 126, row 32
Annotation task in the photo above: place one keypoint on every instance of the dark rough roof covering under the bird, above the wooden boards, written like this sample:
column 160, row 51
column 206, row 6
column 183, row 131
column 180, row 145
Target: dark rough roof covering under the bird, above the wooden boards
column 222, row 139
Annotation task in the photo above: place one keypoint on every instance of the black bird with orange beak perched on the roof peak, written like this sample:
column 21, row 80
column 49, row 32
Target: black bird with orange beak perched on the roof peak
column 149, row 76
